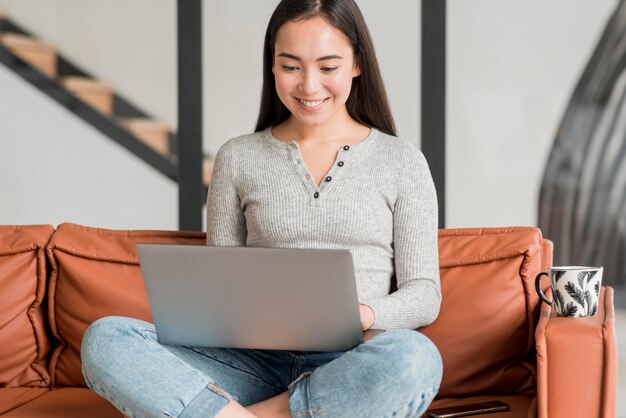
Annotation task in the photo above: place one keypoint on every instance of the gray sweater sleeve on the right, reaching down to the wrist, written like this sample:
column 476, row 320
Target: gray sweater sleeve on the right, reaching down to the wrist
column 416, row 257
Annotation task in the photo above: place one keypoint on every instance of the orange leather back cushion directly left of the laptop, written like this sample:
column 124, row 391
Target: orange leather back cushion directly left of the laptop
column 95, row 273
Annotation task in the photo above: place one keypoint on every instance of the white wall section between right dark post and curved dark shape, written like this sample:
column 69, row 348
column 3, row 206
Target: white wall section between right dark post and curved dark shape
column 512, row 67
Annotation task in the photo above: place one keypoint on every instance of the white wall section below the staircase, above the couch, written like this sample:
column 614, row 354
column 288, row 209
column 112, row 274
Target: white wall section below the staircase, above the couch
column 56, row 169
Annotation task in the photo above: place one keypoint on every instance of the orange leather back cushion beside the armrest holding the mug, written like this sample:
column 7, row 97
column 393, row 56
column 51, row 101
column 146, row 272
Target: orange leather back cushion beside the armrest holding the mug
column 485, row 329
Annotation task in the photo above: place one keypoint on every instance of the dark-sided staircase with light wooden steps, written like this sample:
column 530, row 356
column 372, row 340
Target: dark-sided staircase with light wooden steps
column 94, row 101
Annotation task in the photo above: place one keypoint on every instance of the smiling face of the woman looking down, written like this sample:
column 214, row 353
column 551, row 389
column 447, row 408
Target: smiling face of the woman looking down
column 313, row 69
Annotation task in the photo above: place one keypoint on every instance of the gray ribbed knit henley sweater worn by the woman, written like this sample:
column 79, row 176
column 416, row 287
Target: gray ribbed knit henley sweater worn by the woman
column 378, row 201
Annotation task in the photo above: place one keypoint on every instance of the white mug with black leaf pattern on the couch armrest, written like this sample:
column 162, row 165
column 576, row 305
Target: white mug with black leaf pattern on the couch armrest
column 575, row 289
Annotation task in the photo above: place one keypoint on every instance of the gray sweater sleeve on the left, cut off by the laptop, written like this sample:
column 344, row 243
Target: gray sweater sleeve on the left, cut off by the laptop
column 226, row 224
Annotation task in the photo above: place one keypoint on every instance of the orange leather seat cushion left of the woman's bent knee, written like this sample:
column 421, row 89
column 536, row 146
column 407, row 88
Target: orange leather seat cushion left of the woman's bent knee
column 67, row 403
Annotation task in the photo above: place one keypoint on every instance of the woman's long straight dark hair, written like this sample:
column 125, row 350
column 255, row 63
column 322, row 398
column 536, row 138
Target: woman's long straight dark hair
column 367, row 102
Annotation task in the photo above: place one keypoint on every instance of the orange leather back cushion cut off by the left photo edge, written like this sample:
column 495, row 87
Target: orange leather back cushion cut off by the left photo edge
column 23, row 362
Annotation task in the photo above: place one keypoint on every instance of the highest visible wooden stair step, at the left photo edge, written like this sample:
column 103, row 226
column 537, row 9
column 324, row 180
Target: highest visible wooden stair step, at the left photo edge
column 40, row 55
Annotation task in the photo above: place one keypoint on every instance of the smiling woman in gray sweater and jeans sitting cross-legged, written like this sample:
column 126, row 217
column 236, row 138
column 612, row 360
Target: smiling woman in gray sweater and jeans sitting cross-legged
column 322, row 170
